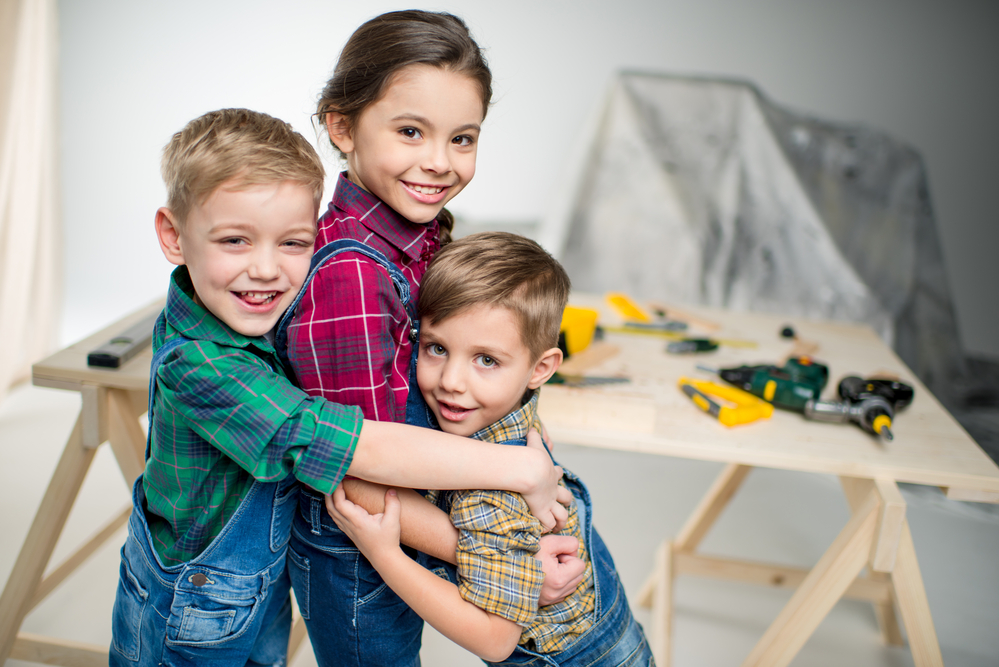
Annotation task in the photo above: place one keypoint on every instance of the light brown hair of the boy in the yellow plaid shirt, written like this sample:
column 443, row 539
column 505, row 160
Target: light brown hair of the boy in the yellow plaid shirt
column 499, row 269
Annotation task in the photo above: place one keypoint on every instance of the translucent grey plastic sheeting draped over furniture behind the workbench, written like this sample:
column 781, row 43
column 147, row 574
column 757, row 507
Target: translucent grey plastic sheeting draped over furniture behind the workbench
column 704, row 191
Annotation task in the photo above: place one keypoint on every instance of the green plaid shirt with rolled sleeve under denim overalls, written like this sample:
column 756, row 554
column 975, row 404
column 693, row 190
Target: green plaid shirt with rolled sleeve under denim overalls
column 224, row 417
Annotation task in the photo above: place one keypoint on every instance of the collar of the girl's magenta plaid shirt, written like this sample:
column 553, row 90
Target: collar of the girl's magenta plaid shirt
column 381, row 219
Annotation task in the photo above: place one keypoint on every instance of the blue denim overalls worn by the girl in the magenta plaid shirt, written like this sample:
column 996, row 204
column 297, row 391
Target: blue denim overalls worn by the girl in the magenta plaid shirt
column 353, row 617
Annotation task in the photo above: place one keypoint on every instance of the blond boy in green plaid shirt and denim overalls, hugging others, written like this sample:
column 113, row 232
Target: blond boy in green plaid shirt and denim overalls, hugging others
column 203, row 579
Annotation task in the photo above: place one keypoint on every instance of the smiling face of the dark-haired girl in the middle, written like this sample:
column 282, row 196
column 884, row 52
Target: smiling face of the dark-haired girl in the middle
column 414, row 148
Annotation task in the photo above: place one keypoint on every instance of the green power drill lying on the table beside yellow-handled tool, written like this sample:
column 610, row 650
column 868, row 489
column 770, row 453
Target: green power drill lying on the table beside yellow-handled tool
column 790, row 386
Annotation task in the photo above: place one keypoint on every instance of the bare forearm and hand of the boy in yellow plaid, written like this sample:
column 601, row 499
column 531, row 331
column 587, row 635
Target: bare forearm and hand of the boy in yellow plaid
column 437, row 601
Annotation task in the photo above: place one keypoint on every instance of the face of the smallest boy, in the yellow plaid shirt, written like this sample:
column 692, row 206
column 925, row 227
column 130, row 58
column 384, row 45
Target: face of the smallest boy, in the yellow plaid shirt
column 474, row 368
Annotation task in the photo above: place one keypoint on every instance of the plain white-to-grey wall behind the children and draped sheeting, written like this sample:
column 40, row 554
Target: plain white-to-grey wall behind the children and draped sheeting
column 134, row 72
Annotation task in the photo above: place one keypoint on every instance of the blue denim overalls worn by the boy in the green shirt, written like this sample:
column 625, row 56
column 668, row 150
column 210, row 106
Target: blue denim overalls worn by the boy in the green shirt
column 230, row 605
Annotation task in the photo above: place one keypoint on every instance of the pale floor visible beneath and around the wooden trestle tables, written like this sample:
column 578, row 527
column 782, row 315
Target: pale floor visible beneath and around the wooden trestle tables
column 777, row 516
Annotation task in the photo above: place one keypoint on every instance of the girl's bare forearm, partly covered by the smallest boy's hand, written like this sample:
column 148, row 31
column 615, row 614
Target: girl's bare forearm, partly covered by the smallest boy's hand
column 424, row 527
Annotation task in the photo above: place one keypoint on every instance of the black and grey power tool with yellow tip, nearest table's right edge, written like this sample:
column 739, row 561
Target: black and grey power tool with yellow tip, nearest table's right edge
column 871, row 403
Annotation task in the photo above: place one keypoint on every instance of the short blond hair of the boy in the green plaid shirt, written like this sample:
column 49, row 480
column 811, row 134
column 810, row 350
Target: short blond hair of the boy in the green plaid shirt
column 238, row 145
